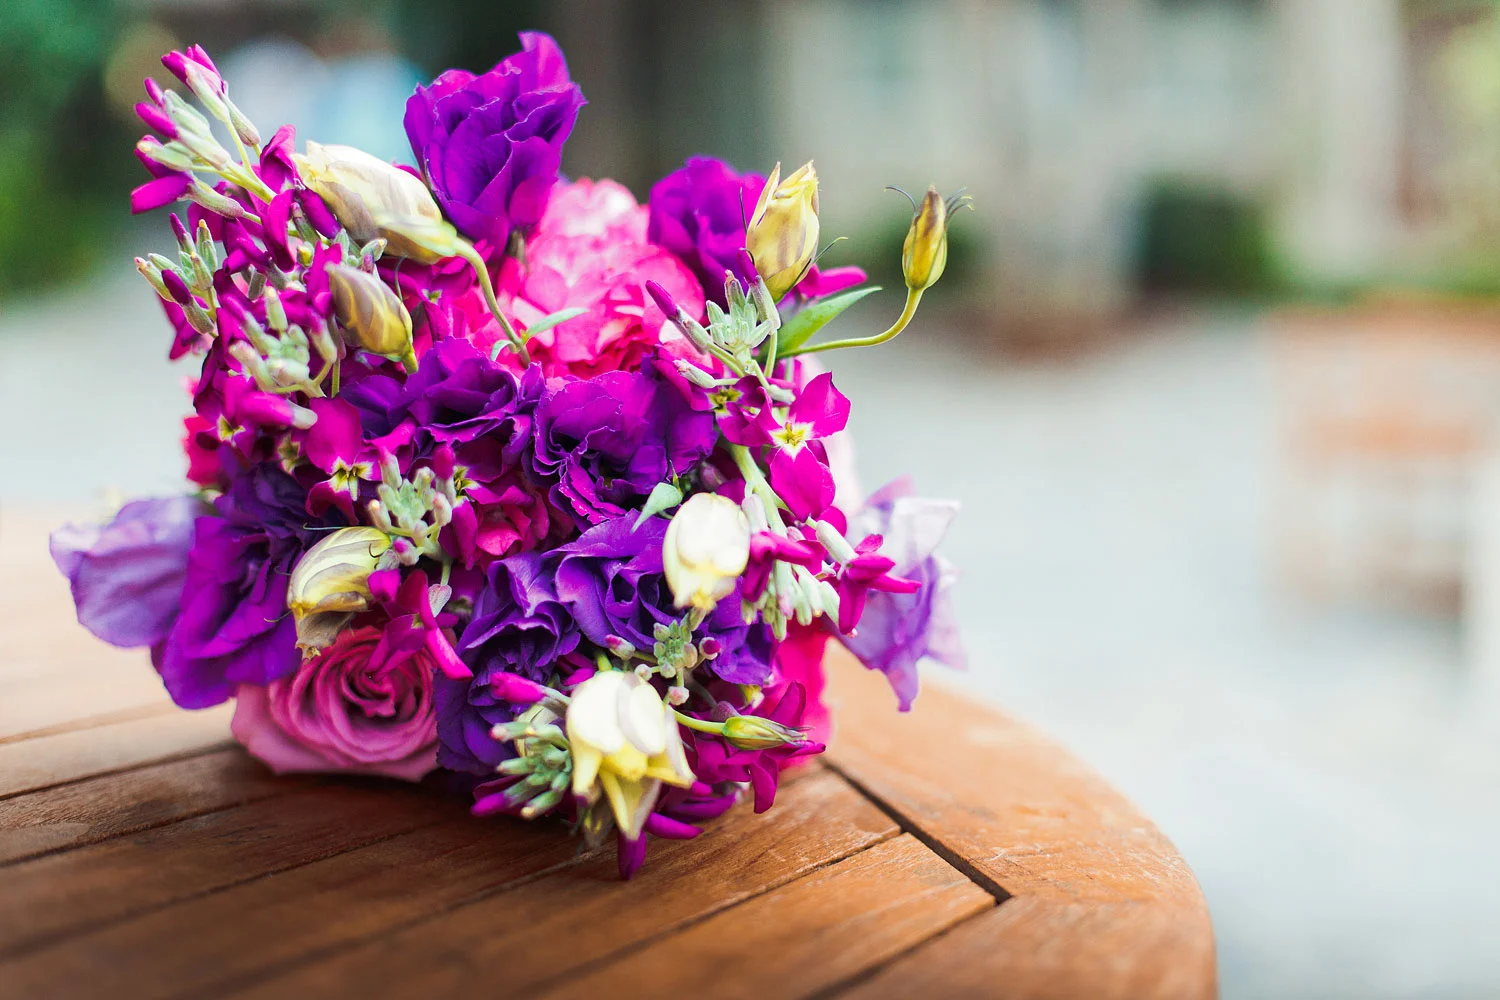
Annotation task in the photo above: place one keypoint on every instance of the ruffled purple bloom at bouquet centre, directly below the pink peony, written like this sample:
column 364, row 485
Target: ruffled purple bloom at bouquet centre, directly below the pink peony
column 607, row 442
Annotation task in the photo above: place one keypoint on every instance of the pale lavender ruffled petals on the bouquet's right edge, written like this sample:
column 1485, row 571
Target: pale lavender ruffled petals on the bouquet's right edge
column 898, row 630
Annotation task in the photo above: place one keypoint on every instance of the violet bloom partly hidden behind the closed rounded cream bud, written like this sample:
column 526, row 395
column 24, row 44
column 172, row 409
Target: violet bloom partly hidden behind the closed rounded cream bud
column 613, row 582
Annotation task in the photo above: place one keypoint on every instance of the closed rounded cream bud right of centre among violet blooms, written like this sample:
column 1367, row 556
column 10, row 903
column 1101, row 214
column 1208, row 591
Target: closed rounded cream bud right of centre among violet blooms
column 706, row 549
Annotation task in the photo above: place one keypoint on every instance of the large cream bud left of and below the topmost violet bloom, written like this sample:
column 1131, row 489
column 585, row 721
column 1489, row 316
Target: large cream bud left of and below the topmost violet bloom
column 376, row 200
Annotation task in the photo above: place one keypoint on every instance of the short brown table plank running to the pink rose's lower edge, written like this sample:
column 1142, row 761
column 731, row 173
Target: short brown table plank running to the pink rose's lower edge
column 98, row 809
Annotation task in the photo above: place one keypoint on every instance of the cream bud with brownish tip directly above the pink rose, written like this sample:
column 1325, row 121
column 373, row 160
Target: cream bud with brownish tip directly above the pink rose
column 331, row 584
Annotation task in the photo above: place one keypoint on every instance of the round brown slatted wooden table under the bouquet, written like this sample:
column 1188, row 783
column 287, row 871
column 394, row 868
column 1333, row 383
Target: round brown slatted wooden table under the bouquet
column 949, row 852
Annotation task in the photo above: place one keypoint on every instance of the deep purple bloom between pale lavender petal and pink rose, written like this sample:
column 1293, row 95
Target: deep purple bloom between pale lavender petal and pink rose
column 233, row 626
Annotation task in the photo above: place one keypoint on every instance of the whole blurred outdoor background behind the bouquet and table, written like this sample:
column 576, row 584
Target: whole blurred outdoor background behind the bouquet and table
column 1216, row 370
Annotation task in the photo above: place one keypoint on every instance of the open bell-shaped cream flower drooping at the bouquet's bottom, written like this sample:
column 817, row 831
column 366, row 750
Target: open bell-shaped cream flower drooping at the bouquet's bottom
column 626, row 746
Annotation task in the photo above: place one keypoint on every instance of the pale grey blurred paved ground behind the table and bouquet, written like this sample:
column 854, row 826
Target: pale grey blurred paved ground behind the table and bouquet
column 1331, row 779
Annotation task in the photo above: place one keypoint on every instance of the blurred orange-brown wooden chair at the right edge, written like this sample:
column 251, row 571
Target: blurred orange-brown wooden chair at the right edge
column 1384, row 412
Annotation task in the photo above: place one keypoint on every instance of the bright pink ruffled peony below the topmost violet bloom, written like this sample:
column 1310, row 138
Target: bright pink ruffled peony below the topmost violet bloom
column 590, row 253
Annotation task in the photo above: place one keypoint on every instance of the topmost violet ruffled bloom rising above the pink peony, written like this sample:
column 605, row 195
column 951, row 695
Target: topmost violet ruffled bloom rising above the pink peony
column 491, row 145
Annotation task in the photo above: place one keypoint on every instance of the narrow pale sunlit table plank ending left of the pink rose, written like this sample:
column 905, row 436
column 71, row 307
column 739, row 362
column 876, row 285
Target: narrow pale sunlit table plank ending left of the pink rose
column 68, row 756
